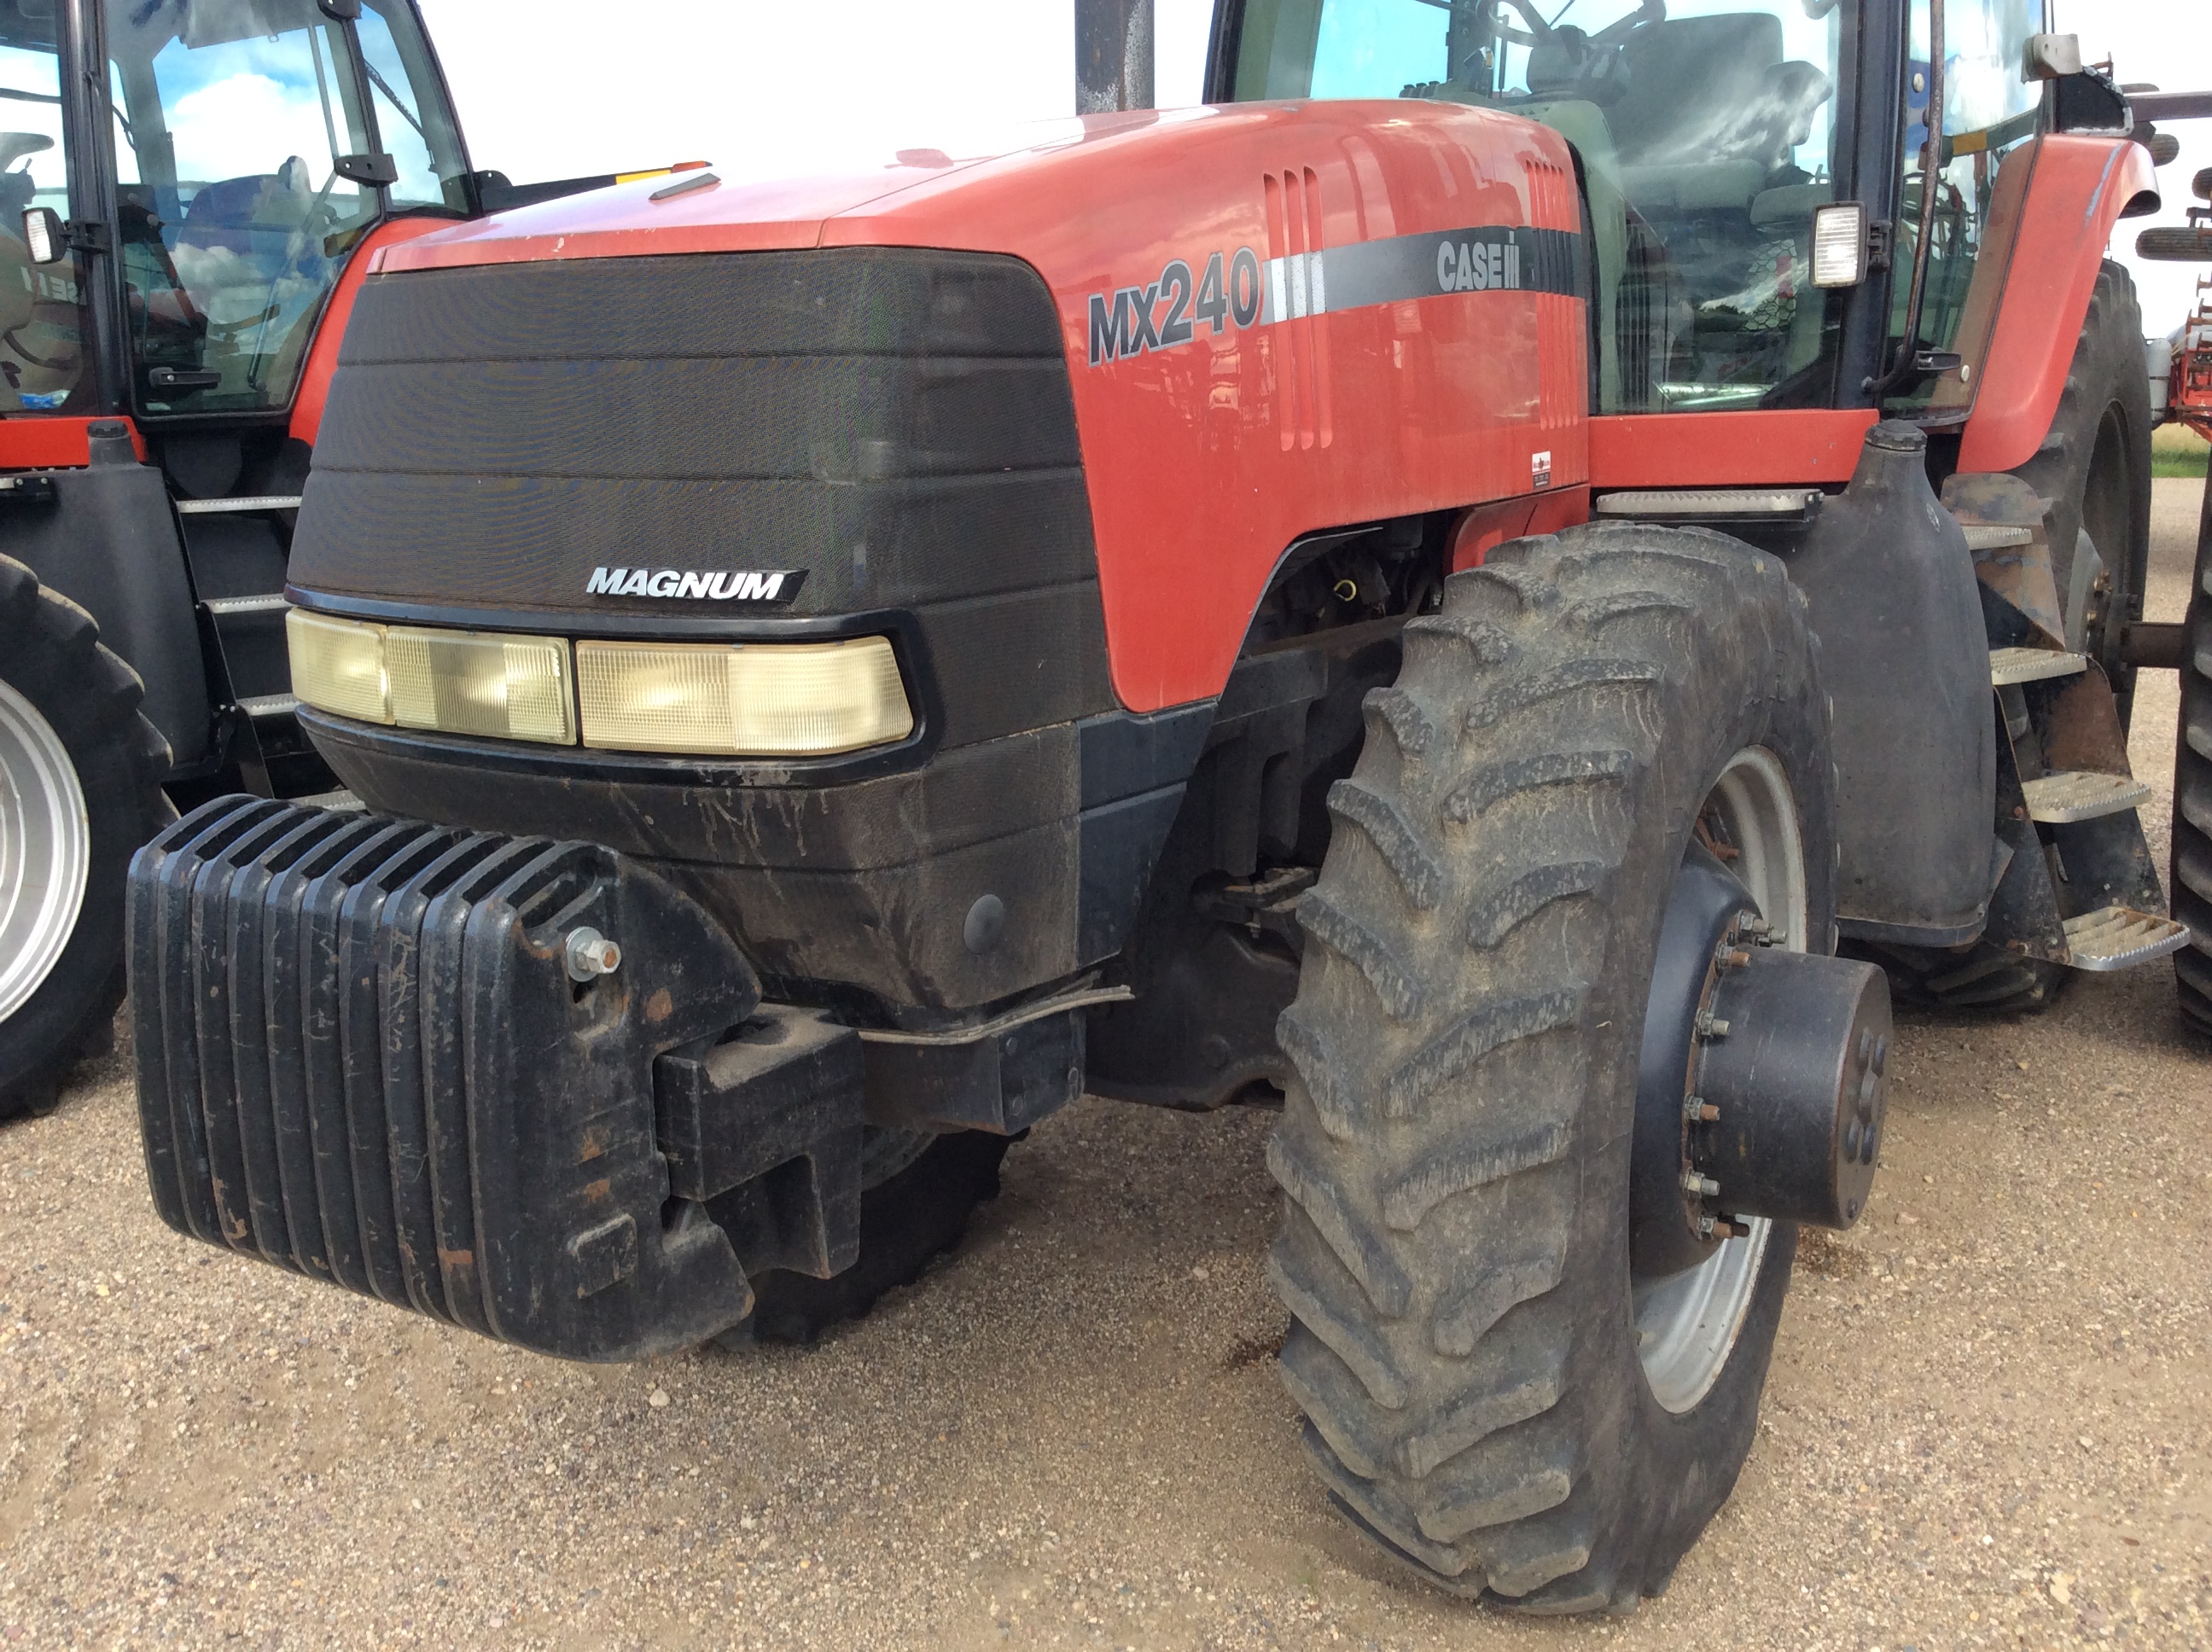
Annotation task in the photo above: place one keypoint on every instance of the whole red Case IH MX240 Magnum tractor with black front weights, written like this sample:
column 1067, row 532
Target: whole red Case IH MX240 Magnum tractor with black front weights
column 1441, row 587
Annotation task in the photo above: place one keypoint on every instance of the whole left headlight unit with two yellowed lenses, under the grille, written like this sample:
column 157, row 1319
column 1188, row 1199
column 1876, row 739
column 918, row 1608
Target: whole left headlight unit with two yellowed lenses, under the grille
column 455, row 682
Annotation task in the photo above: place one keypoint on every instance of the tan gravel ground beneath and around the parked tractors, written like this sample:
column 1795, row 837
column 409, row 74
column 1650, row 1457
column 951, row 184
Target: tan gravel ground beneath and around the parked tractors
column 1990, row 1419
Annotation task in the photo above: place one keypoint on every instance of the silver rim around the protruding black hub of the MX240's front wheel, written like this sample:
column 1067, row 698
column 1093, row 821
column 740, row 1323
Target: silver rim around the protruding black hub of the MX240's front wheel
column 1689, row 1324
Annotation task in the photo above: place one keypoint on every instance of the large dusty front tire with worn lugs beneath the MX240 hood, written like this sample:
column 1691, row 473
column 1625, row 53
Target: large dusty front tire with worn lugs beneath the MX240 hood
column 1490, row 1392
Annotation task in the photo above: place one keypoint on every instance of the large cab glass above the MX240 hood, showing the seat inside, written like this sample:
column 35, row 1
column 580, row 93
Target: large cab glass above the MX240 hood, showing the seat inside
column 1709, row 134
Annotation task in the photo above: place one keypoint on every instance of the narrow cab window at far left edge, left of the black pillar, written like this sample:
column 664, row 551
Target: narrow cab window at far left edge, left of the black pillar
column 41, row 304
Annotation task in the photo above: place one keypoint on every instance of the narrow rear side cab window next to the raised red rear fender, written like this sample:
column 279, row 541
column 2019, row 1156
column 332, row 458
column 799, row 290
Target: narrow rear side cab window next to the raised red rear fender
column 1990, row 118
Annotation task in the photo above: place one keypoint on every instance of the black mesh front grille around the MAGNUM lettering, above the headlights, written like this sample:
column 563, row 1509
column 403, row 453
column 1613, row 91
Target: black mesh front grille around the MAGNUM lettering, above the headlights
column 893, row 421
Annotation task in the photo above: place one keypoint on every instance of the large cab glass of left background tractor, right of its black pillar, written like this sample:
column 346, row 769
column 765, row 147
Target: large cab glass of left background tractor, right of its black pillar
column 249, row 136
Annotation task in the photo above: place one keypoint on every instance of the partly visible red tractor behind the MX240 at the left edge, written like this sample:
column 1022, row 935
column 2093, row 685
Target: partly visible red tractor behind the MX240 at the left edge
column 187, row 211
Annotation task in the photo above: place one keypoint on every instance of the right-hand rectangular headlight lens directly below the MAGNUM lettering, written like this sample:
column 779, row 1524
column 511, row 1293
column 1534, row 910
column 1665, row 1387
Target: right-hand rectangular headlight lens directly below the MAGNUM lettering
column 742, row 700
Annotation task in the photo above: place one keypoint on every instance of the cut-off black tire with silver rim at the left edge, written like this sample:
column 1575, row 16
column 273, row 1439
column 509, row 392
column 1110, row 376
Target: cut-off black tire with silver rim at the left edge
column 81, row 791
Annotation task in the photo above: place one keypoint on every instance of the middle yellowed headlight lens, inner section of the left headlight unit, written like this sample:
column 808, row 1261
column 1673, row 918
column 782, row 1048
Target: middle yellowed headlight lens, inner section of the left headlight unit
column 481, row 682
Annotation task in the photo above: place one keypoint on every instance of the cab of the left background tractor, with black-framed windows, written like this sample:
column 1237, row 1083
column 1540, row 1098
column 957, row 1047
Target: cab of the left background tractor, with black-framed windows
column 227, row 158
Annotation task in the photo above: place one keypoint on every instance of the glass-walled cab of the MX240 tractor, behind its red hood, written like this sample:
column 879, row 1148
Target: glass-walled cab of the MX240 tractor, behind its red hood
column 1746, row 176
